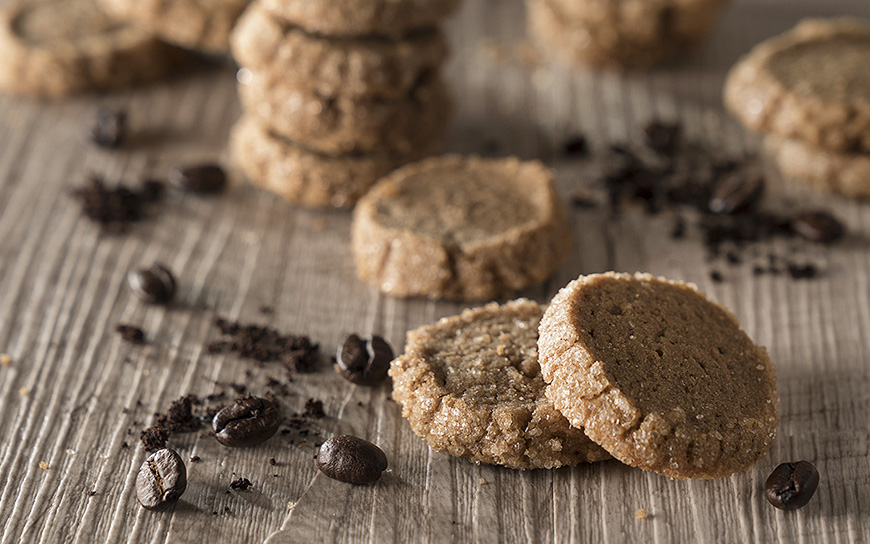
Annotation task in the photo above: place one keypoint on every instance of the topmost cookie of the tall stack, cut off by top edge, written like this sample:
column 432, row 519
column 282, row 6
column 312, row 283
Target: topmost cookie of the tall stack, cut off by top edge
column 354, row 18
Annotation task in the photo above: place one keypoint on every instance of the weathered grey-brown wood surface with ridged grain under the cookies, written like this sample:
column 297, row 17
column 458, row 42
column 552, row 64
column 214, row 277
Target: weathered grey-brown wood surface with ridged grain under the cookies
column 62, row 290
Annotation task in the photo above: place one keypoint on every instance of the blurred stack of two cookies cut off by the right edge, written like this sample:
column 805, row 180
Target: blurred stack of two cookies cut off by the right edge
column 809, row 91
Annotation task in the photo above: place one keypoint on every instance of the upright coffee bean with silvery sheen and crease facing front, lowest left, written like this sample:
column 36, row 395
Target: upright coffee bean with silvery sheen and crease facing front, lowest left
column 161, row 480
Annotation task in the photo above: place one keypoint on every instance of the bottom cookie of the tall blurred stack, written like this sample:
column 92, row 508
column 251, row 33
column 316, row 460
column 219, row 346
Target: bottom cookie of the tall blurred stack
column 306, row 177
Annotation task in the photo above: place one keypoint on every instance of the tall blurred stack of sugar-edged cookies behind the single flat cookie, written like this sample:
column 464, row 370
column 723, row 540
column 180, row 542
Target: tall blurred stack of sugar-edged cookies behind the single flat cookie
column 335, row 97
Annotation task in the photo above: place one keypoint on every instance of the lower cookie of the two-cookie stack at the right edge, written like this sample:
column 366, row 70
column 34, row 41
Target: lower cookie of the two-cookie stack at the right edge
column 844, row 173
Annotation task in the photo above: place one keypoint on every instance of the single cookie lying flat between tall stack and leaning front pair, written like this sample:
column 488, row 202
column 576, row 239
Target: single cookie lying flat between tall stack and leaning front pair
column 460, row 228
